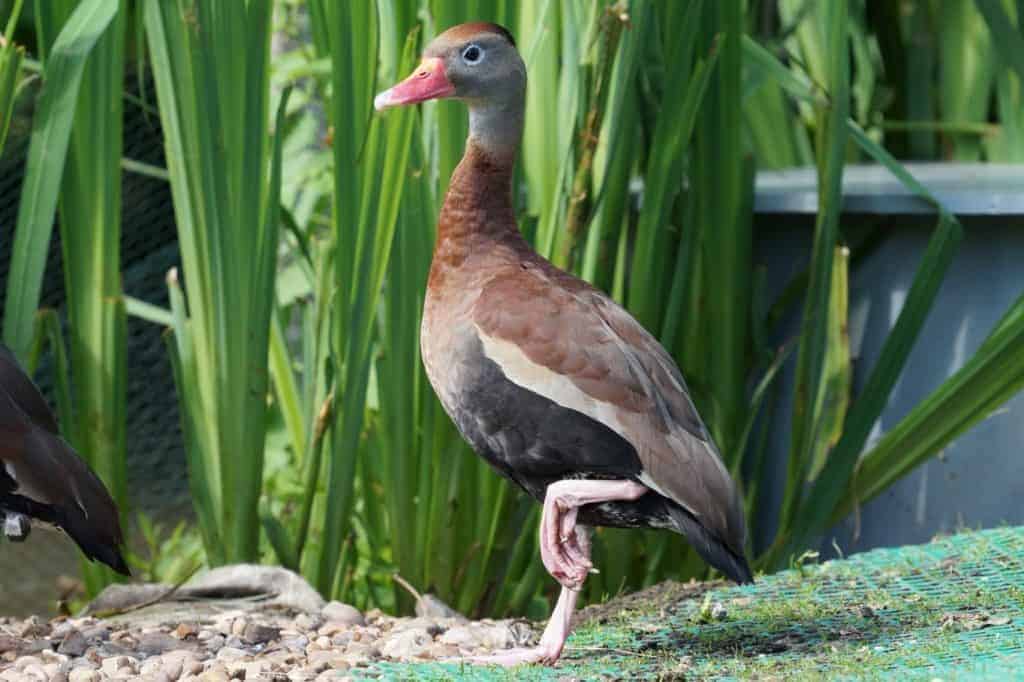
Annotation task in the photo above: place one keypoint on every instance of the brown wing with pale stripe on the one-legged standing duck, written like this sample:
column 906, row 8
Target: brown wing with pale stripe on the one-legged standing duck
column 569, row 343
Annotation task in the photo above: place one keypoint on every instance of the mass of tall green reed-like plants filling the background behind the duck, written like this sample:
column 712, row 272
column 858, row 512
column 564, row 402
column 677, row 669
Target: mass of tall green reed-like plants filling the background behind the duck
column 307, row 223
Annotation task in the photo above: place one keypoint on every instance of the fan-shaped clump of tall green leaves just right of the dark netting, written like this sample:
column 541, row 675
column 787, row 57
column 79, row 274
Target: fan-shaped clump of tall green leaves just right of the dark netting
column 210, row 63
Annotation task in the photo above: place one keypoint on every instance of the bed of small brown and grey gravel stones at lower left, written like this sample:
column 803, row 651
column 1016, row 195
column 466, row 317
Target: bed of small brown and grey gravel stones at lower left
column 247, row 644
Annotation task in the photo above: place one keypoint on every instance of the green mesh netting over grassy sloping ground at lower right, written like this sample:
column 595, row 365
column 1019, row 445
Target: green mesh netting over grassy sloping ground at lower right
column 950, row 610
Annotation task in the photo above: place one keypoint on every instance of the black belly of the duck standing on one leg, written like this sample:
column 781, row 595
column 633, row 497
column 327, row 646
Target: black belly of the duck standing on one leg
column 536, row 442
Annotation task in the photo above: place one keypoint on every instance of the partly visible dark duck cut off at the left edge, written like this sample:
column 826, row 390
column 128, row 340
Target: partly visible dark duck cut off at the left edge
column 44, row 480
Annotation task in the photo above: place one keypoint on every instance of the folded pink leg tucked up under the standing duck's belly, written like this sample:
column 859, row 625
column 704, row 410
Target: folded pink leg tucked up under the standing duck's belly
column 560, row 547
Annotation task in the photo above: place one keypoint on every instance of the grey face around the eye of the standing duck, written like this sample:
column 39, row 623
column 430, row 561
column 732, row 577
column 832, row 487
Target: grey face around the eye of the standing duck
column 483, row 68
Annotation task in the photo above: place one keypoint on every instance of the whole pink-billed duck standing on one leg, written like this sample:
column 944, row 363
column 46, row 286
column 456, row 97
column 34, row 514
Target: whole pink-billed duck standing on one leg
column 552, row 382
